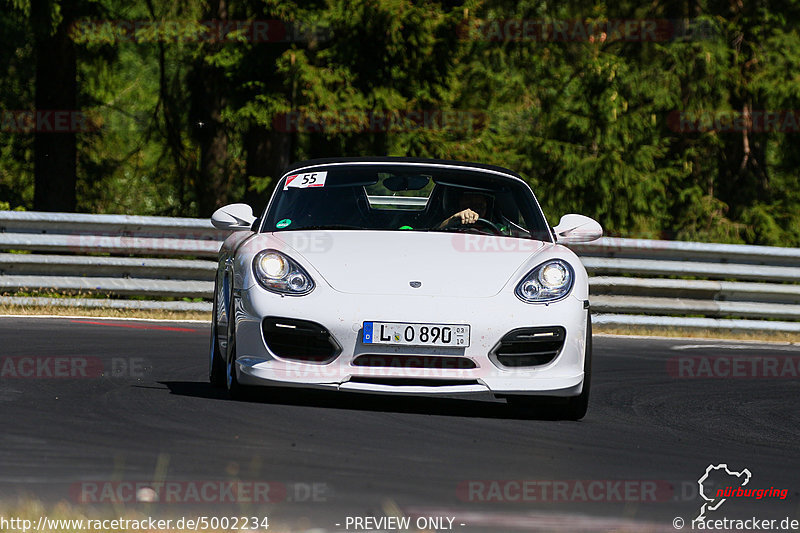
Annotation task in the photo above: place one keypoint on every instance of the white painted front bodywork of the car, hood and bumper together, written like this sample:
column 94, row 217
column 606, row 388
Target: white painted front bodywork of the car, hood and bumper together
column 389, row 297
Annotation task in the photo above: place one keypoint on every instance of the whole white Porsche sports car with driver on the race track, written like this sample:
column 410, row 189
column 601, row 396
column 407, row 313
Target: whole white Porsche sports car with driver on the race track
column 396, row 275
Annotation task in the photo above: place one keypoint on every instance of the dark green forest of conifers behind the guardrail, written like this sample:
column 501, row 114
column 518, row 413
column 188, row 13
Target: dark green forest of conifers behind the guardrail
column 660, row 119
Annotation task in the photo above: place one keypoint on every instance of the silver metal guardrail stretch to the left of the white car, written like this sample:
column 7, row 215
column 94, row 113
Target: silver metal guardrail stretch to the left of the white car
column 70, row 262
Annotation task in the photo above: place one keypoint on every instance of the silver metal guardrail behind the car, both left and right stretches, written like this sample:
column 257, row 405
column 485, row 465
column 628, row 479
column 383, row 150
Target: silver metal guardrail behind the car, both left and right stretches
column 632, row 281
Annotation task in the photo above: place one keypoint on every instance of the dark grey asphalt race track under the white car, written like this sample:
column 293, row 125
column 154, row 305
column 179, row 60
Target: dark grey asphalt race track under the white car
column 144, row 413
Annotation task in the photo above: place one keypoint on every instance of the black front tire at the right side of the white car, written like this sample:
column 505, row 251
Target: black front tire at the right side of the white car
column 556, row 408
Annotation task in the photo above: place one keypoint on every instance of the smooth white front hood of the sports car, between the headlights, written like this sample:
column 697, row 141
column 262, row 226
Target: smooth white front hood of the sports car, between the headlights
column 386, row 262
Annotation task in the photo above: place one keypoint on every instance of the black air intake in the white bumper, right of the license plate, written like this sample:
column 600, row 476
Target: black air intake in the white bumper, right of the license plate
column 525, row 347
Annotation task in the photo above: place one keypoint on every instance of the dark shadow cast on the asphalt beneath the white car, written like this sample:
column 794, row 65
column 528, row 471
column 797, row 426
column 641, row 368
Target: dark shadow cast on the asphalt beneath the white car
column 427, row 405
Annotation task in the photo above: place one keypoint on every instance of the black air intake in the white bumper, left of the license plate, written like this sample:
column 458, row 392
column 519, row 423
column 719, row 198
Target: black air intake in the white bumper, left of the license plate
column 299, row 340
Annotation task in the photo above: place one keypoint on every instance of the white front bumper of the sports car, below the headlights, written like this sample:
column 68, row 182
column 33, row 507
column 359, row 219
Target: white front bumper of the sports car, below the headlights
column 343, row 316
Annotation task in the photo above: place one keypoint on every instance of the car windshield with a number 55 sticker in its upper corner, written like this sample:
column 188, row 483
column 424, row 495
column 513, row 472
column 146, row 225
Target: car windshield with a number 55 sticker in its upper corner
column 405, row 198
